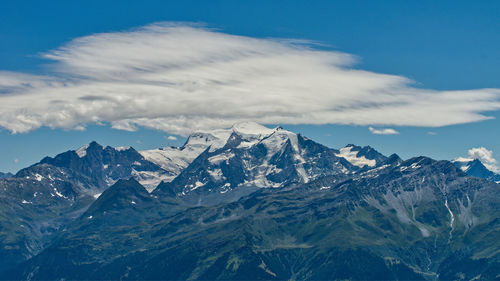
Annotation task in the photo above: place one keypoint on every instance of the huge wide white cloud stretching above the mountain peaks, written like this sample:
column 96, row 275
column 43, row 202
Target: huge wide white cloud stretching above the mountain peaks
column 179, row 78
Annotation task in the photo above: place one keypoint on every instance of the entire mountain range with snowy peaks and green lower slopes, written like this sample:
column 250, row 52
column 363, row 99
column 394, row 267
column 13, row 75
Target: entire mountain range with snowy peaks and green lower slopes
column 249, row 203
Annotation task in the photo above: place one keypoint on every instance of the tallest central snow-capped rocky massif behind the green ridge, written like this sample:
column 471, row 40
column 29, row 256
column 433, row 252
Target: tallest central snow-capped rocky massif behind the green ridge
column 250, row 156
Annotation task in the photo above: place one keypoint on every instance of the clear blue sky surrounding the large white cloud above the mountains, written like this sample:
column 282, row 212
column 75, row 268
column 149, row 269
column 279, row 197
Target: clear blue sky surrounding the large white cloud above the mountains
column 450, row 45
